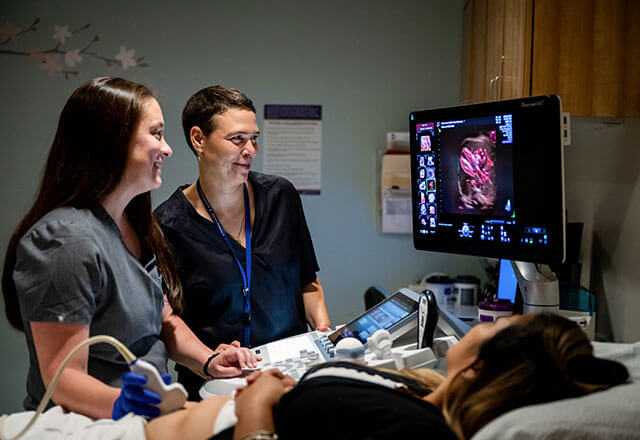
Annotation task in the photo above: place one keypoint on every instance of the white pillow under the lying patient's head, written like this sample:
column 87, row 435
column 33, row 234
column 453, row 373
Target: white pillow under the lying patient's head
column 610, row 414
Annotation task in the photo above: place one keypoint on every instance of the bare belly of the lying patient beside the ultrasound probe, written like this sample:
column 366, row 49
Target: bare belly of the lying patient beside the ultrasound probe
column 193, row 423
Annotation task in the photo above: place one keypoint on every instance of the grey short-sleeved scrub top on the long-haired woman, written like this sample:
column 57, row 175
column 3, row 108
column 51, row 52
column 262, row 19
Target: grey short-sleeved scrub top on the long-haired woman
column 73, row 266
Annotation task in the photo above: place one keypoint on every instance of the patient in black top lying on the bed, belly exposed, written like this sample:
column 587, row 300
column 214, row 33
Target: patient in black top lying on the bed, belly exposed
column 495, row 368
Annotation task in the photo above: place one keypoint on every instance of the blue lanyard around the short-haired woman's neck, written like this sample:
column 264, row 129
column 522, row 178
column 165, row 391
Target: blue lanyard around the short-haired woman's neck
column 246, row 276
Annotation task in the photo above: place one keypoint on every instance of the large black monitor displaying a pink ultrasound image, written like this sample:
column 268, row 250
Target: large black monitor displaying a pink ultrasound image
column 487, row 180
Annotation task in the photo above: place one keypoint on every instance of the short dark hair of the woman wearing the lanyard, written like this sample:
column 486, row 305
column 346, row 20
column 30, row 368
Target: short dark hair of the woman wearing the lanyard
column 208, row 102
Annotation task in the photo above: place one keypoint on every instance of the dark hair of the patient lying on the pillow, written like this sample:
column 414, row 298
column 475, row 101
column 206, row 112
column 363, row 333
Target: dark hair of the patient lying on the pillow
column 541, row 360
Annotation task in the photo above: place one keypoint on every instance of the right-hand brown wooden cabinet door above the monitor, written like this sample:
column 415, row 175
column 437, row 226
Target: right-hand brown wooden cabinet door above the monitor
column 588, row 53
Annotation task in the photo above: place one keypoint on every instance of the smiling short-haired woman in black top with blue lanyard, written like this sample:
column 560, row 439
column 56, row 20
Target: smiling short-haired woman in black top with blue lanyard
column 240, row 238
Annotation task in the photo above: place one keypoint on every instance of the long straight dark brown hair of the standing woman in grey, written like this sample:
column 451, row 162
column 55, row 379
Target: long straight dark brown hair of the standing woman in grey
column 86, row 162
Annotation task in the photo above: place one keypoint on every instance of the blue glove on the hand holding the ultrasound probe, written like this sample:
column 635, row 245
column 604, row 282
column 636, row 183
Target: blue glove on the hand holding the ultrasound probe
column 135, row 398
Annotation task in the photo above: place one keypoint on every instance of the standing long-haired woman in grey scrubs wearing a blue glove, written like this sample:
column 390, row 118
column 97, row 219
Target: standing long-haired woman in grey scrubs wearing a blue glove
column 89, row 258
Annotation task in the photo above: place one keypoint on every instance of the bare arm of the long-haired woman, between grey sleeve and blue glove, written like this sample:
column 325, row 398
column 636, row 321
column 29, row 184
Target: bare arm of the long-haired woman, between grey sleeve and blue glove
column 77, row 391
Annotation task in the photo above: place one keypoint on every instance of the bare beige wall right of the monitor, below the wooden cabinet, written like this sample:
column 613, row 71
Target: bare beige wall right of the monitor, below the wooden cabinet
column 602, row 168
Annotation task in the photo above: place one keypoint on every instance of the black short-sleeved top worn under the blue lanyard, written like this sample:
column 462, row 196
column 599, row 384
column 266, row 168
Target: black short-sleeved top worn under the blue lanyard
column 283, row 262
